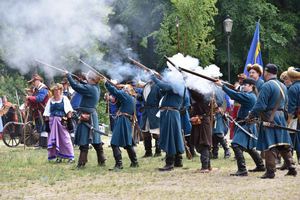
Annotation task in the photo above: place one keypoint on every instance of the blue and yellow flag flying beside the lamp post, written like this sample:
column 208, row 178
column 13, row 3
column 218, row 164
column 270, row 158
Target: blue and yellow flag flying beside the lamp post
column 254, row 55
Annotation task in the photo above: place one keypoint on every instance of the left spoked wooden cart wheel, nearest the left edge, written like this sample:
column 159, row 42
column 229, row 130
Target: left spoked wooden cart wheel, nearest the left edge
column 11, row 134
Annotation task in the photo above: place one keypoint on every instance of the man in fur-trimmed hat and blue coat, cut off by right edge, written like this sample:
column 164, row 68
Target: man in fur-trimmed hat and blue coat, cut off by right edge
column 294, row 106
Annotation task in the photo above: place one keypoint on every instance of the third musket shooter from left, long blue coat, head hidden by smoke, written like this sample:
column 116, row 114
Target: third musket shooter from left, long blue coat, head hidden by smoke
column 170, row 139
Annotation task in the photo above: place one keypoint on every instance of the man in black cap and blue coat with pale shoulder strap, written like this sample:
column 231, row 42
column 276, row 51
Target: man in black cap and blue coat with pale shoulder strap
column 271, row 139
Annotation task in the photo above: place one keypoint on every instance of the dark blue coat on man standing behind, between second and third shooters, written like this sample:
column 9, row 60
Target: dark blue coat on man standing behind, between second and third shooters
column 152, row 100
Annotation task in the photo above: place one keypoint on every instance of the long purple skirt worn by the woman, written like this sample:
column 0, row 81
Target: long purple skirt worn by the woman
column 59, row 140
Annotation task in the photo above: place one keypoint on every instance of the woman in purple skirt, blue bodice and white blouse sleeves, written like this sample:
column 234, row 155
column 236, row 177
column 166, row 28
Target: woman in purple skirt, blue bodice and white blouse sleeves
column 58, row 124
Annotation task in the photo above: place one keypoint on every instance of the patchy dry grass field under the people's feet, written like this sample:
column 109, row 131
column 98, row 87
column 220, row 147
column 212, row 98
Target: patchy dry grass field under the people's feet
column 27, row 174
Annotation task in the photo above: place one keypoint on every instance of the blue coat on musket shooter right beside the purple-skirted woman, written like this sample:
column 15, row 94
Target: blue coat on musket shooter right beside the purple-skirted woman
column 88, row 104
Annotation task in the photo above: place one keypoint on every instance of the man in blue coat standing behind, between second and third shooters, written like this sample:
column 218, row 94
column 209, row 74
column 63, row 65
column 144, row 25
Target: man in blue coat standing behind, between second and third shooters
column 150, row 97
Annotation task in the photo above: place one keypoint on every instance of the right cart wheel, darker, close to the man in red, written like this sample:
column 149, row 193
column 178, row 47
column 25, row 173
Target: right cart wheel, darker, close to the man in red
column 31, row 136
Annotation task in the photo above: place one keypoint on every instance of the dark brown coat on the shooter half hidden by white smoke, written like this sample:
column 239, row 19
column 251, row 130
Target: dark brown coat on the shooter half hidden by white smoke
column 201, row 134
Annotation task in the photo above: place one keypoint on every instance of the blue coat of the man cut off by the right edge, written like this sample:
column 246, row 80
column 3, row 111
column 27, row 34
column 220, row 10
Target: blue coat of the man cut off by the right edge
column 293, row 104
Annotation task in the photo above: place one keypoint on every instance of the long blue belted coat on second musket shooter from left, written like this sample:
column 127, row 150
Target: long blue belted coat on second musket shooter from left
column 122, row 133
